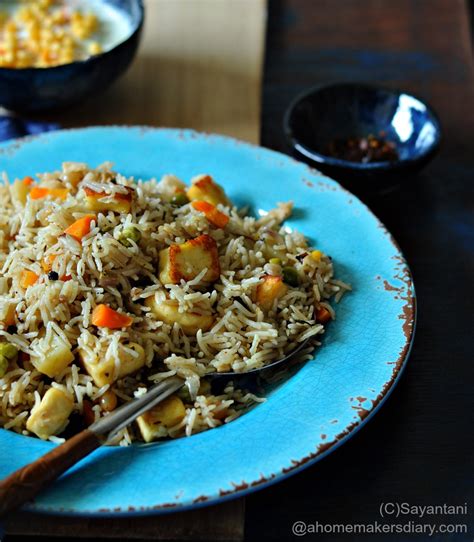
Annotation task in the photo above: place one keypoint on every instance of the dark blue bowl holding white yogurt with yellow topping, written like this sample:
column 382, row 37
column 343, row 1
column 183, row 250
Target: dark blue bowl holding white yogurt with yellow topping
column 39, row 89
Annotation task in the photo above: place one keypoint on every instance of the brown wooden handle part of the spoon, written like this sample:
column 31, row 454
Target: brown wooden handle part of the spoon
column 25, row 483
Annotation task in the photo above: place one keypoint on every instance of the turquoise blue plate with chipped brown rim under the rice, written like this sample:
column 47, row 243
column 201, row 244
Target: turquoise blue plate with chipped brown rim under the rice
column 306, row 417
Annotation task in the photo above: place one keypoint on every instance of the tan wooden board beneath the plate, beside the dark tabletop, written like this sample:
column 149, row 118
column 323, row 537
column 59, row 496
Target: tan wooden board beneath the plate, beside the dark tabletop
column 199, row 66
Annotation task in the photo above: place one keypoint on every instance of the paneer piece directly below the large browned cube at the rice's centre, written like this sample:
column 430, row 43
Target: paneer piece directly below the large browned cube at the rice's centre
column 167, row 311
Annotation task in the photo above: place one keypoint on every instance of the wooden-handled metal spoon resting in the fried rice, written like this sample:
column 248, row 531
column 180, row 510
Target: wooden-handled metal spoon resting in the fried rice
column 23, row 484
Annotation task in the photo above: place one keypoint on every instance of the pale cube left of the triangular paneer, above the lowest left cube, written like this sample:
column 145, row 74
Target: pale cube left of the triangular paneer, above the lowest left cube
column 52, row 356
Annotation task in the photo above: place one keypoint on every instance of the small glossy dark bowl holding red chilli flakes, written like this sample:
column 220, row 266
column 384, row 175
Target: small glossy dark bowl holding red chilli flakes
column 346, row 110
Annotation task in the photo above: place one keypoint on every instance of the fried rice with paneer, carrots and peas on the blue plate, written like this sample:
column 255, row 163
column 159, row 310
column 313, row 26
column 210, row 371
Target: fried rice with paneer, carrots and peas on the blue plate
column 109, row 285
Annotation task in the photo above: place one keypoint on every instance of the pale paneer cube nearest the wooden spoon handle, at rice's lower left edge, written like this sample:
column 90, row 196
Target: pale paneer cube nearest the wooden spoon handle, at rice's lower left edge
column 51, row 415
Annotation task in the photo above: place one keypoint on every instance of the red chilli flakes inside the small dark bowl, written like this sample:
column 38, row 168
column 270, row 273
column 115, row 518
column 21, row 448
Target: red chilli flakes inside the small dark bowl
column 364, row 149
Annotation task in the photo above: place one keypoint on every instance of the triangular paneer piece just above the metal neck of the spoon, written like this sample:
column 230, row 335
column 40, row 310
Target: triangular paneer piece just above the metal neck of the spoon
column 103, row 370
